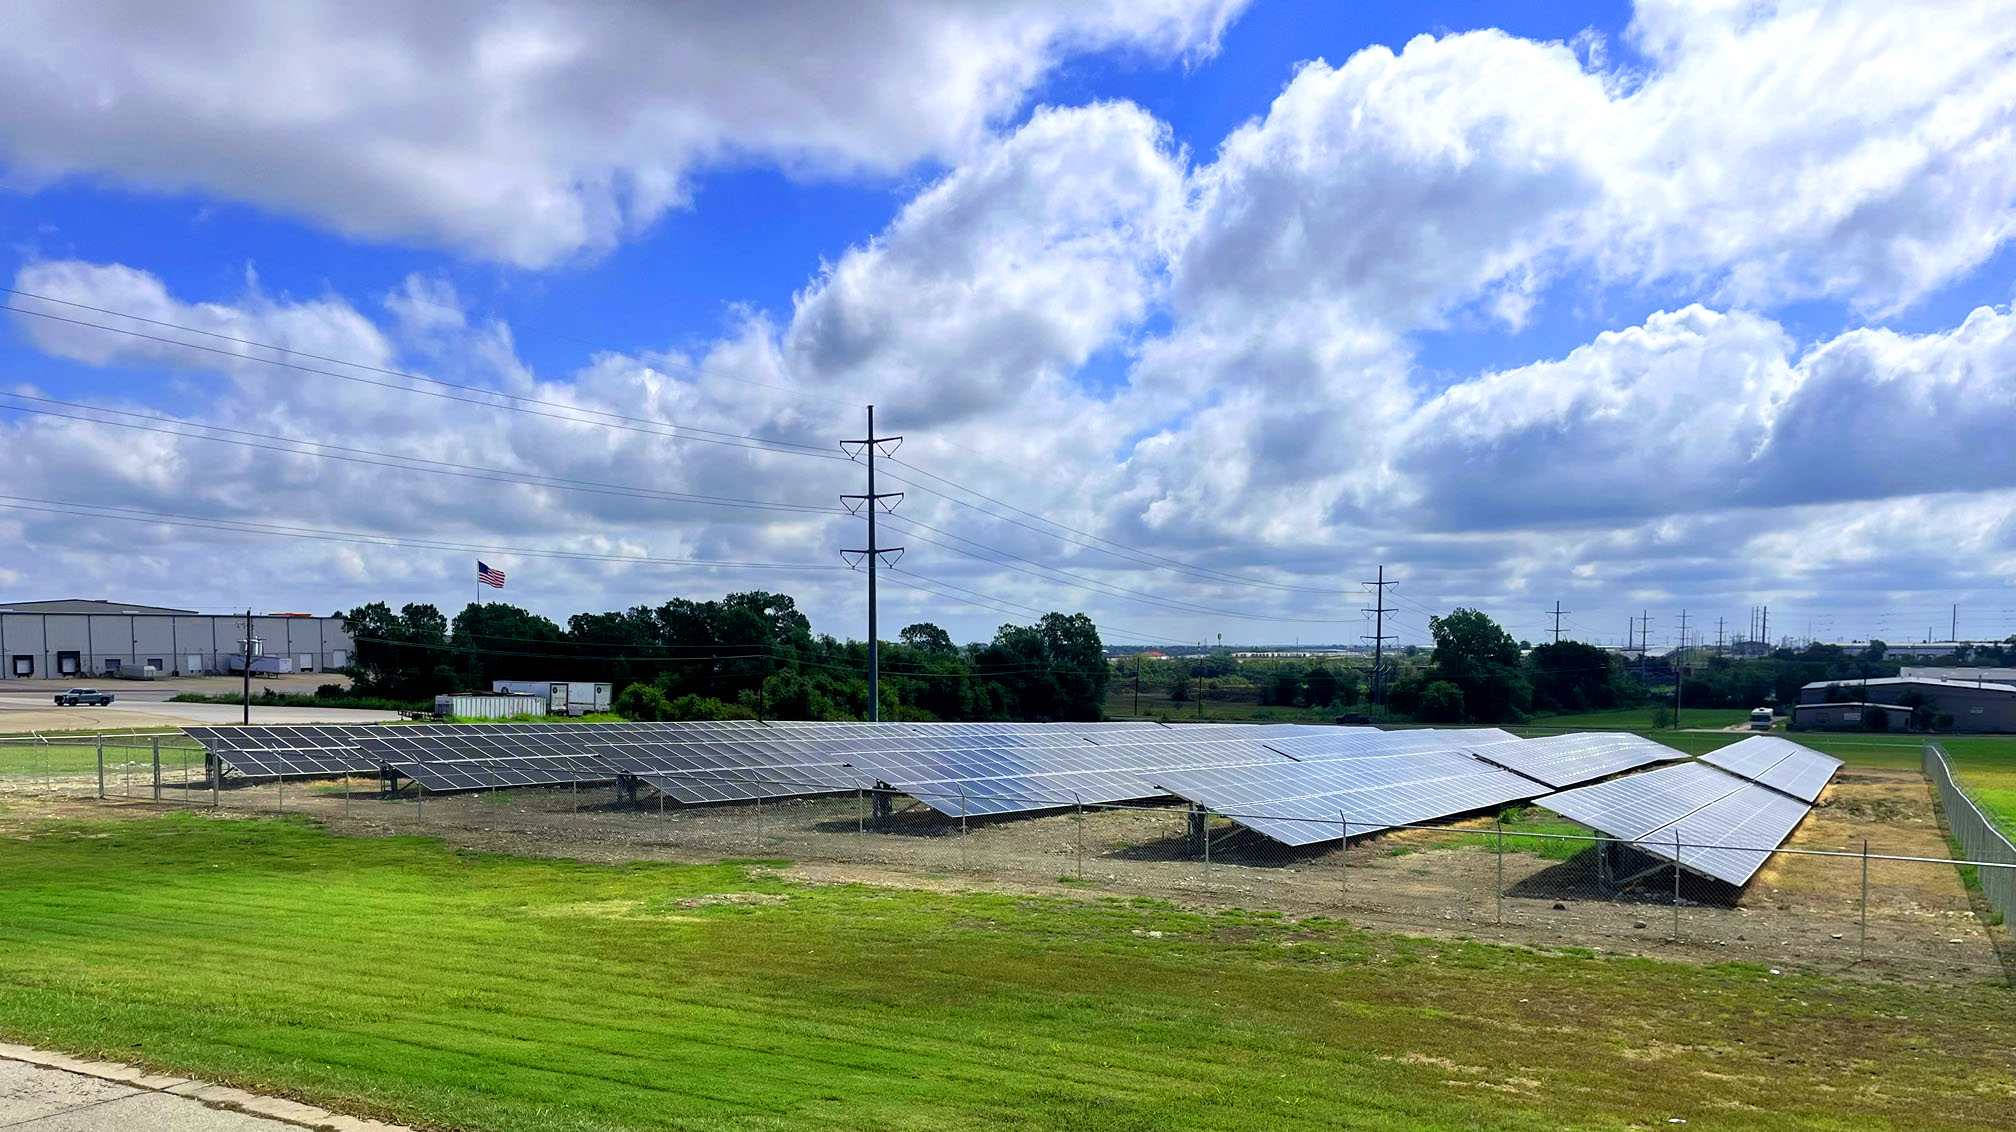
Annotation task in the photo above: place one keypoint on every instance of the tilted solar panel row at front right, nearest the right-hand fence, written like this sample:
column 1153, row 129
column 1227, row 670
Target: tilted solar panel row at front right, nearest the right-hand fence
column 1688, row 815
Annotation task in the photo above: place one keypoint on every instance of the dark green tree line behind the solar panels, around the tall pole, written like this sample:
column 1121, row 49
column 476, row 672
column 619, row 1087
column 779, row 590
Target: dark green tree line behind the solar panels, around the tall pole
column 745, row 656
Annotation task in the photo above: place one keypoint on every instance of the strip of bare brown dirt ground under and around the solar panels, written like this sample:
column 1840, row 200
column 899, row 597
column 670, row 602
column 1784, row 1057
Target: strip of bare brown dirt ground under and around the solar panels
column 1448, row 881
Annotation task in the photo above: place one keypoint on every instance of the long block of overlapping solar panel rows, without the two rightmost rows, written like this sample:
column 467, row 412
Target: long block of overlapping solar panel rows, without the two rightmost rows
column 1289, row 783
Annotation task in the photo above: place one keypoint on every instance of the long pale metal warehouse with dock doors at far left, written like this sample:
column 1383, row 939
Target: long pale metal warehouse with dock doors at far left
column 84, row 638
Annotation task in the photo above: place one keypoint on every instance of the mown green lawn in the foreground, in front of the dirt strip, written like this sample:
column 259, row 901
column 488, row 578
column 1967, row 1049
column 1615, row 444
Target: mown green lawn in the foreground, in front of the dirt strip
column 402, row 980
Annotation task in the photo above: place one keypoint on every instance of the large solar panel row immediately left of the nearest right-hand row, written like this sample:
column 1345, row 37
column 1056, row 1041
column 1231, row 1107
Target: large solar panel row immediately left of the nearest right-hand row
column 1307, row 803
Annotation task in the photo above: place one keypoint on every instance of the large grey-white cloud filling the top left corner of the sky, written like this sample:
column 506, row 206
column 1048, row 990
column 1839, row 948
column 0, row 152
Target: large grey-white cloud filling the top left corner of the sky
column 527, row 132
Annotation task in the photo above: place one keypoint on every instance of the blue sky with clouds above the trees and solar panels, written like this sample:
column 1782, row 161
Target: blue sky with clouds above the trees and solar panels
column 1156, row 277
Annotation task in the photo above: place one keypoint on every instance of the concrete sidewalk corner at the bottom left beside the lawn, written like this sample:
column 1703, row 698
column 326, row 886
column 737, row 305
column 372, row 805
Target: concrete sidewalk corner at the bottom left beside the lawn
column 51, row 1093
